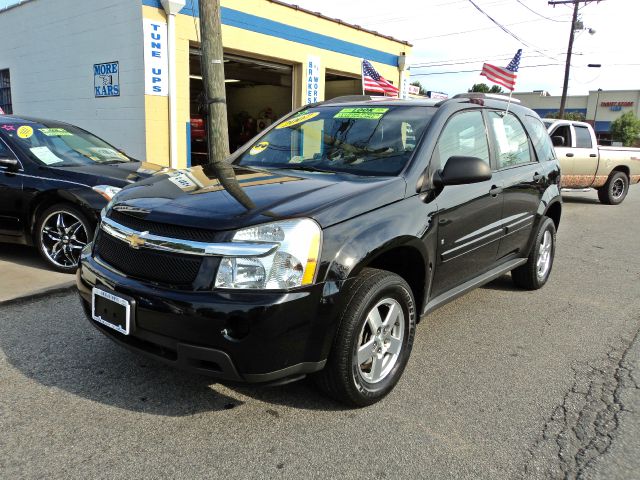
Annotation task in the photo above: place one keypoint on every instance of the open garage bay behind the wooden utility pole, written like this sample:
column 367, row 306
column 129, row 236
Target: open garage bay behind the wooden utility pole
column 258, row 93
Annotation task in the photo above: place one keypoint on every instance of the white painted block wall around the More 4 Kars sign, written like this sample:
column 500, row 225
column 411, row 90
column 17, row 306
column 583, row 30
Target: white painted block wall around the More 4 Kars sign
column 50, row 47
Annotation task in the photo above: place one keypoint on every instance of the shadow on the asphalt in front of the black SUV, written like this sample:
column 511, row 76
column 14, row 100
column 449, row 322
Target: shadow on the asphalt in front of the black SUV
column 50, row 342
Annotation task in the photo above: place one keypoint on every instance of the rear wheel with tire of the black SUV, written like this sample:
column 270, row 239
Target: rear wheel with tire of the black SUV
column 535, row 273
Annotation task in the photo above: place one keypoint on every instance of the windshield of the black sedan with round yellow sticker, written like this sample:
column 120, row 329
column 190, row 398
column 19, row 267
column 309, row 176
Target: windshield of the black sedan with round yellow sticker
column 61, row 145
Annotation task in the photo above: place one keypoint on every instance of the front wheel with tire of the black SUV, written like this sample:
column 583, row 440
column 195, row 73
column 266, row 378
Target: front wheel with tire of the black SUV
column 373, row 342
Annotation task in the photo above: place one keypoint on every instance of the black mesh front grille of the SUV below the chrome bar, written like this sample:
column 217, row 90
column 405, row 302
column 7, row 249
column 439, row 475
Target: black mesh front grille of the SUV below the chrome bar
column 153, row 265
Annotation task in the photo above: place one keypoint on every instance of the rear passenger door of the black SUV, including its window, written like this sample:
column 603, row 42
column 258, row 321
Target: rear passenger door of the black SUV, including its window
column 522, row 177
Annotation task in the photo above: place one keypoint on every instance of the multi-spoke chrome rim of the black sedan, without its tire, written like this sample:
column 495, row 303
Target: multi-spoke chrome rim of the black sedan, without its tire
column 63, row 236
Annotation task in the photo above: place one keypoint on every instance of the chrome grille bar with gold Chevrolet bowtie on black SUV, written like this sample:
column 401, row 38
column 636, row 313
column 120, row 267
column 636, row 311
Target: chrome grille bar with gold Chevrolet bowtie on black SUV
column 150, row 241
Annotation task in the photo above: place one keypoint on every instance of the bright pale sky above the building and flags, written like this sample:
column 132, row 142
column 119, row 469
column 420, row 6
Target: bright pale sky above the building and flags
column 445, row 33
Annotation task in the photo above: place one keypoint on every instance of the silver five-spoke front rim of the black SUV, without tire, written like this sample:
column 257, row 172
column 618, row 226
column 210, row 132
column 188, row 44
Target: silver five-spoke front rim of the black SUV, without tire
column 380, row 341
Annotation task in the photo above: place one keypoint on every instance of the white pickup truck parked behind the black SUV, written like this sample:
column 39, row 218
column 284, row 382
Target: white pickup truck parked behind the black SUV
column 585, row 164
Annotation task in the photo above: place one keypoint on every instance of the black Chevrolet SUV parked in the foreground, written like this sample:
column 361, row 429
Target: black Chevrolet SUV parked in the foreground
column 316, row 248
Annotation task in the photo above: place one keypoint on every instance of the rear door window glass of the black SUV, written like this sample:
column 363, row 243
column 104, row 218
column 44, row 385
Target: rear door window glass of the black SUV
column 512, row 143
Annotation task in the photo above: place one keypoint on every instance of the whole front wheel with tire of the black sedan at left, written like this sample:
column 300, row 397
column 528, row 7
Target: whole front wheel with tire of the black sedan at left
column 60, row 234
